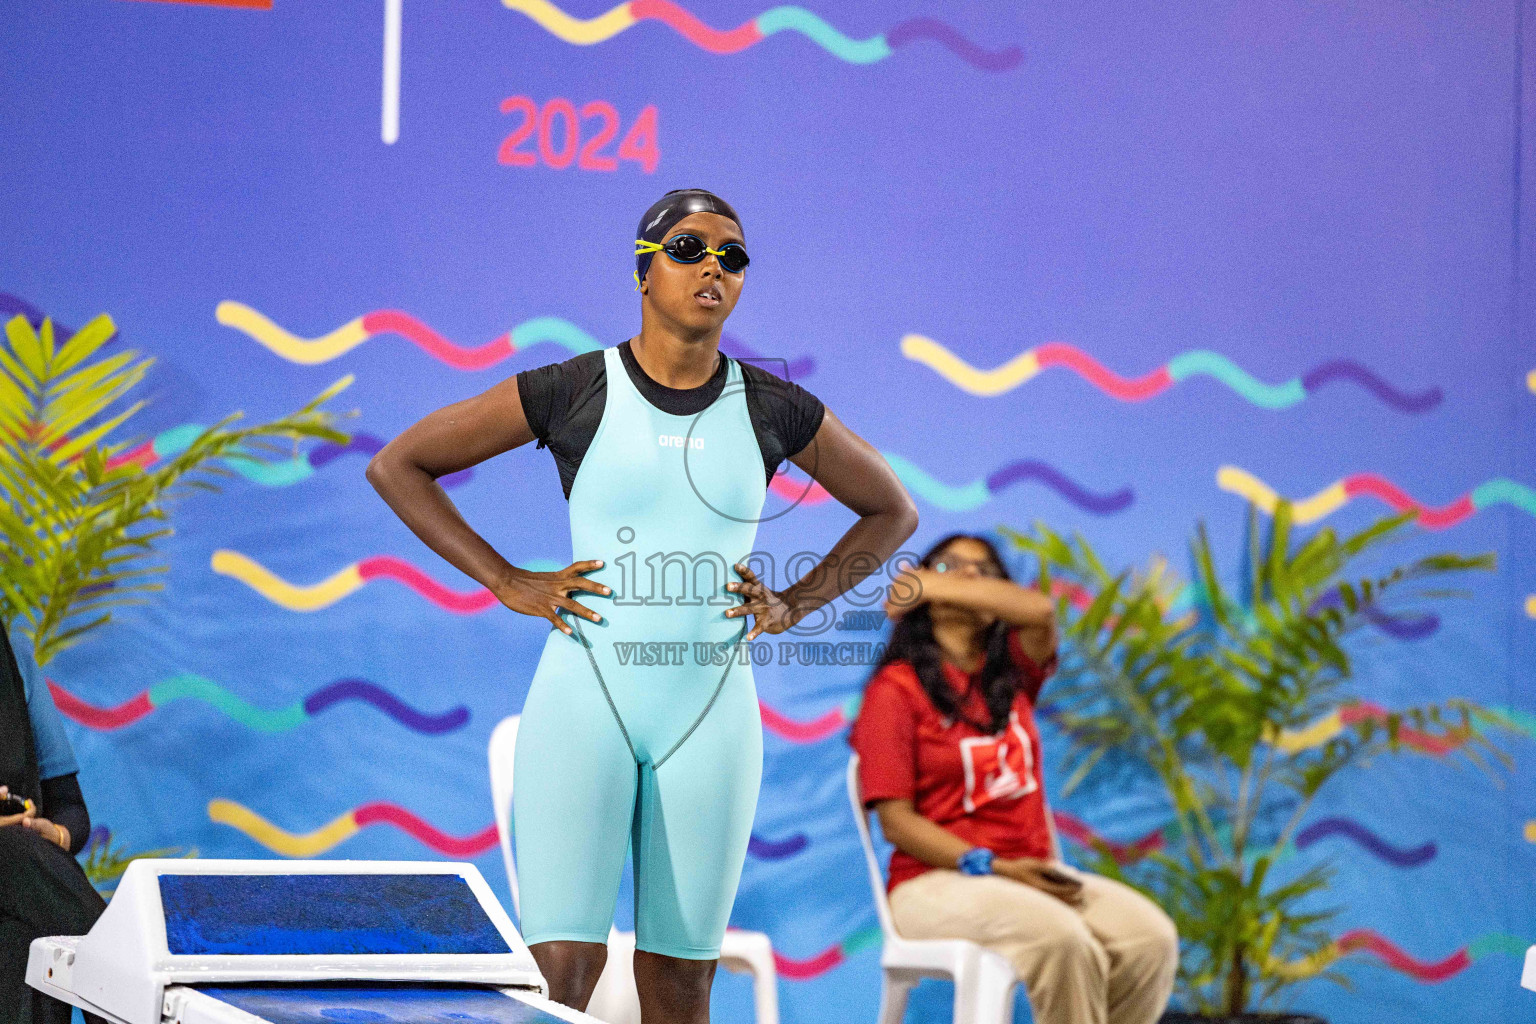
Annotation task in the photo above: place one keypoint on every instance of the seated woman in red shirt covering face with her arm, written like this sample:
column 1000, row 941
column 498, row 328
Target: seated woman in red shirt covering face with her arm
column 950, row 761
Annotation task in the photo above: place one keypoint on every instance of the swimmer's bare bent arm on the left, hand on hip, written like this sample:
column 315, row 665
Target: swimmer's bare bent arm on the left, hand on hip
column 455, row 438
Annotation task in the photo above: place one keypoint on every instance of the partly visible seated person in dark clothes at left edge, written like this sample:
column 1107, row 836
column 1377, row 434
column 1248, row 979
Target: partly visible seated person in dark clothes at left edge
column 44, row 891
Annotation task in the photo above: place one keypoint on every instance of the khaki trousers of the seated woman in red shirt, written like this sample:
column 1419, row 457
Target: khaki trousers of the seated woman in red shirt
column 1108, row 962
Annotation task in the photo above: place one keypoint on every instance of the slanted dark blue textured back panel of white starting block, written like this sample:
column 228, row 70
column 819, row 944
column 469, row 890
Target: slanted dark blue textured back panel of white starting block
column 325, row 914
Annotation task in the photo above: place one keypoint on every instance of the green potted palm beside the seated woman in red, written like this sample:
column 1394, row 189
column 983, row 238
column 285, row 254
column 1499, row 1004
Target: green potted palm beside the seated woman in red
column 1237, row 709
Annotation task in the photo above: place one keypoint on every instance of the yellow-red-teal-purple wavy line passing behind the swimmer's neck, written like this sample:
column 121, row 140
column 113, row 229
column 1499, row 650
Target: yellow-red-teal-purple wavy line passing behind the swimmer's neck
column 369, row 326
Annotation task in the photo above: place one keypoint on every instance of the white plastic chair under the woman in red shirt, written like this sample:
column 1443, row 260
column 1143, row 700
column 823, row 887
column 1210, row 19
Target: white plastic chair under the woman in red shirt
column 984, row 980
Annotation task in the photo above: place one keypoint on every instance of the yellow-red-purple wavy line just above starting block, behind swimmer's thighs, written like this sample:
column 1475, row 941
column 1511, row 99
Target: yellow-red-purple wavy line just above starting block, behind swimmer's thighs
column 340, row 830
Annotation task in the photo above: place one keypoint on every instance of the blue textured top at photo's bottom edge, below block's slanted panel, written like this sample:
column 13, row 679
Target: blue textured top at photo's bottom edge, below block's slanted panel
column 379, row 1005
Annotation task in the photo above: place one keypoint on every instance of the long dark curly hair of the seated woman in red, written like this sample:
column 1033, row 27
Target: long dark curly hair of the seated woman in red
column 913, row 642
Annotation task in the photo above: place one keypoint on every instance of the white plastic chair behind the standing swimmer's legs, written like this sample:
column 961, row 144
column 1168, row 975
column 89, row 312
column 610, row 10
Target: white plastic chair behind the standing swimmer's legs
column 615, row 999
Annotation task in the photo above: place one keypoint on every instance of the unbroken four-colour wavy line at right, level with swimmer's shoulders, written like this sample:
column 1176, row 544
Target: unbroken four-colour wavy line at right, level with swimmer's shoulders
column 1028, row 365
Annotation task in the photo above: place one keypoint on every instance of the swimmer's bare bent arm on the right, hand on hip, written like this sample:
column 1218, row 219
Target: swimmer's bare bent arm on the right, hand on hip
column 858, row 477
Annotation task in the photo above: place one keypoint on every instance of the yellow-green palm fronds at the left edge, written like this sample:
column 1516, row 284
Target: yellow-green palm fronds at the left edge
column 85, row 507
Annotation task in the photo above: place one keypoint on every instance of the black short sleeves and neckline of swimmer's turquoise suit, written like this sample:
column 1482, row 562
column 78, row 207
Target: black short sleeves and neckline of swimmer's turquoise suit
column 564, row 401
